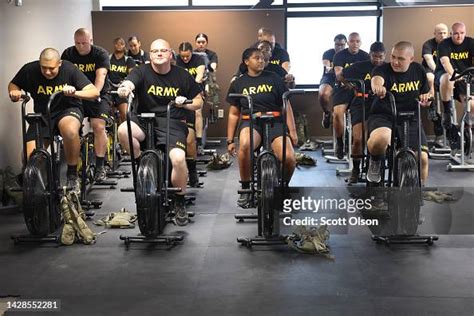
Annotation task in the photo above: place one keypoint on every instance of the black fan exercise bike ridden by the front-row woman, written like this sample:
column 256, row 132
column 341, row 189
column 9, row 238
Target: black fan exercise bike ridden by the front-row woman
column 270, row 184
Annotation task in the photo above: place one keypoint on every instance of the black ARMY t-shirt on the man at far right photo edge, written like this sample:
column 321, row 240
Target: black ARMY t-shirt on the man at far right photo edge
column 460, row 56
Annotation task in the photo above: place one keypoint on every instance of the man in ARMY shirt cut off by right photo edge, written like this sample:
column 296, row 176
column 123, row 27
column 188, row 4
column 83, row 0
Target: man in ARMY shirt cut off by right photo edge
column 455, row 54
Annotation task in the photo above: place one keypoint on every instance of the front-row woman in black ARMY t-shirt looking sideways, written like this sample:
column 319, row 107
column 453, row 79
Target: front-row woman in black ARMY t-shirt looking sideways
column 266, row 90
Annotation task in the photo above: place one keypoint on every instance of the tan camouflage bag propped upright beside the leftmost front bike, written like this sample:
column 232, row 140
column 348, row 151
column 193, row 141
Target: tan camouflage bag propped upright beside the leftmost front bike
column 75, row 227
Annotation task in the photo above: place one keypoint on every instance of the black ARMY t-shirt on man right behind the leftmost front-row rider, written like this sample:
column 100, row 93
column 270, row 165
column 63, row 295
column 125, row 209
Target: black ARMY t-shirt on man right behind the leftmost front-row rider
column 88, row 64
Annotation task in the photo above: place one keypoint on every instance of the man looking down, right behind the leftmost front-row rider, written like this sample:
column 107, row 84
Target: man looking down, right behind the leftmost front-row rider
column 94, row 62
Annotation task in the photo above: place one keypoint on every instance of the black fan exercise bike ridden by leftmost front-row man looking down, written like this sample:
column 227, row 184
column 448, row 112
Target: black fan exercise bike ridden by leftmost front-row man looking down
column 41, row 184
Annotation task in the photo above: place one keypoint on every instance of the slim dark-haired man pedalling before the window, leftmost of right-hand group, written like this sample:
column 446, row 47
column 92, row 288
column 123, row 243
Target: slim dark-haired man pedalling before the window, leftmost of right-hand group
column 326, row 85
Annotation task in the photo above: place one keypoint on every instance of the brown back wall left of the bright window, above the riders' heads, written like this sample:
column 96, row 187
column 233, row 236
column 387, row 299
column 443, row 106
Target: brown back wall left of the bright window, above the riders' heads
column 229, row 32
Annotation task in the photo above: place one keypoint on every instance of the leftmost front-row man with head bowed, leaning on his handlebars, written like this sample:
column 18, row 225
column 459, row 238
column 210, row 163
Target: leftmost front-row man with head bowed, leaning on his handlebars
column 41, row 79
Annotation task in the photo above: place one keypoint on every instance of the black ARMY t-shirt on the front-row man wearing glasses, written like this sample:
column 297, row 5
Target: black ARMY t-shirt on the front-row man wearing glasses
column 155, row 90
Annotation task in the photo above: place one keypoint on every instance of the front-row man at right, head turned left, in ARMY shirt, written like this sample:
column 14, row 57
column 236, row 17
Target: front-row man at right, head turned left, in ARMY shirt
column 407, row 81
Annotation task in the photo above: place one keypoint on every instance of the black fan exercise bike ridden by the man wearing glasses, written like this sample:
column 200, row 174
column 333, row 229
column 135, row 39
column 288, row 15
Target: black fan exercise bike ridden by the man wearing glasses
column 151, row 183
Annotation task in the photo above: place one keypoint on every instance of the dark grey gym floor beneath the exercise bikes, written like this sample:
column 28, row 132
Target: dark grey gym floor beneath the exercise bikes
column 210, row 274
